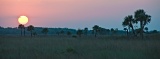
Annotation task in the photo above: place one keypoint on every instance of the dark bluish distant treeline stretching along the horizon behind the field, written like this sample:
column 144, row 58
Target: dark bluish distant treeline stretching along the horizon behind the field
column 64, row 31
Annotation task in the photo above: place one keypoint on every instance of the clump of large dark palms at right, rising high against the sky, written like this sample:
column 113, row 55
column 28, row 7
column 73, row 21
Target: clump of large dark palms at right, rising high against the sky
column 140, row 17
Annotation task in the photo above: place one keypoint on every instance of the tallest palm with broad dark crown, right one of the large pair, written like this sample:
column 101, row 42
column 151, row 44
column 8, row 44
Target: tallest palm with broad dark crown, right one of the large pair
column 143, row 18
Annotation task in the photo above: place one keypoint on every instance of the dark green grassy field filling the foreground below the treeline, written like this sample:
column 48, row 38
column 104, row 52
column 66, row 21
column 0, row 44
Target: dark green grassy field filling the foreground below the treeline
column 54, row 47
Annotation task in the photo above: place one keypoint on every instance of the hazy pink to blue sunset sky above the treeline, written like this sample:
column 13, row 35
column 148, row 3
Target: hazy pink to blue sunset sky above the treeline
column 76, row 13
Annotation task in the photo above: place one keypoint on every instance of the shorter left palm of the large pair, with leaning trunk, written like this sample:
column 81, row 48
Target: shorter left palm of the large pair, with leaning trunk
column 129, row 21
